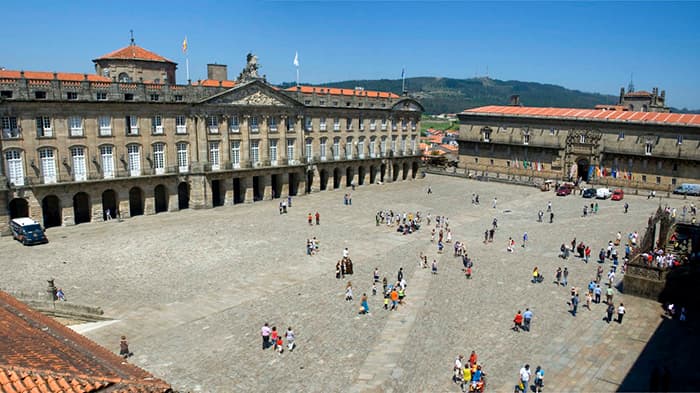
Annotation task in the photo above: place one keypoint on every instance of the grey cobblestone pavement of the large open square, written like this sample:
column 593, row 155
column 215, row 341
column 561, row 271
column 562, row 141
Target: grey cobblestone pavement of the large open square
column 192, row 289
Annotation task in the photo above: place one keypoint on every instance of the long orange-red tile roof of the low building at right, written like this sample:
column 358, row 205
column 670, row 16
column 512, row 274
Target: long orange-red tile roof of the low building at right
column 662, row 118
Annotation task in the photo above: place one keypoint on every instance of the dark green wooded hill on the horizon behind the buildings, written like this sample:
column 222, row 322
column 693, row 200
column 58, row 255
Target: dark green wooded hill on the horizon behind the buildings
column 447, row 95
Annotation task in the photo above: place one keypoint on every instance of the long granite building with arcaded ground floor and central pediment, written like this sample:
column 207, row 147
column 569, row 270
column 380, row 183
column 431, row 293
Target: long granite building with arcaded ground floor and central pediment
column 129, row 141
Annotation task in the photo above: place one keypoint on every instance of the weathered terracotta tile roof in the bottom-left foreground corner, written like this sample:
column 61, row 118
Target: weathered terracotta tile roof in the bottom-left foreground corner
column 38, row 354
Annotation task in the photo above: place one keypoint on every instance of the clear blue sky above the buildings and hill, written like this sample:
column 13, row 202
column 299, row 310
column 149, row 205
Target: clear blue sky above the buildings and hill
column 592, row 46
